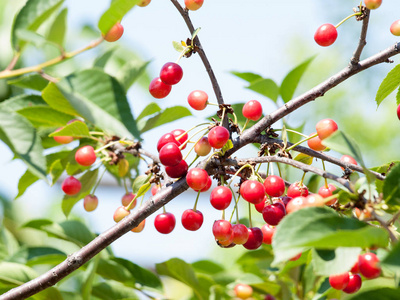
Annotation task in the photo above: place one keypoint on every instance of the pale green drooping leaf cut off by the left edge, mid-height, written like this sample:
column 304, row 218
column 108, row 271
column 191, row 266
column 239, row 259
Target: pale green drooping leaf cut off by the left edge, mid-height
column 23, row 140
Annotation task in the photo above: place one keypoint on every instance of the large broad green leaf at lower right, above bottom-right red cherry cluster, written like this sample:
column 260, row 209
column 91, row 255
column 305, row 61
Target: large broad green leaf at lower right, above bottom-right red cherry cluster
column 322, row 228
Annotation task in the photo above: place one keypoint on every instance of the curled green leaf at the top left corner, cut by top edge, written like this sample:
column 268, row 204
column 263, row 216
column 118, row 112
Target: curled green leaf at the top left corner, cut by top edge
column 31, row 16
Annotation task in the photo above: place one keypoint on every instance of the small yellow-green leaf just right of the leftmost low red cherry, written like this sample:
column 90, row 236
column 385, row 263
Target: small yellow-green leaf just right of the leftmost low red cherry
column 88, row 180
